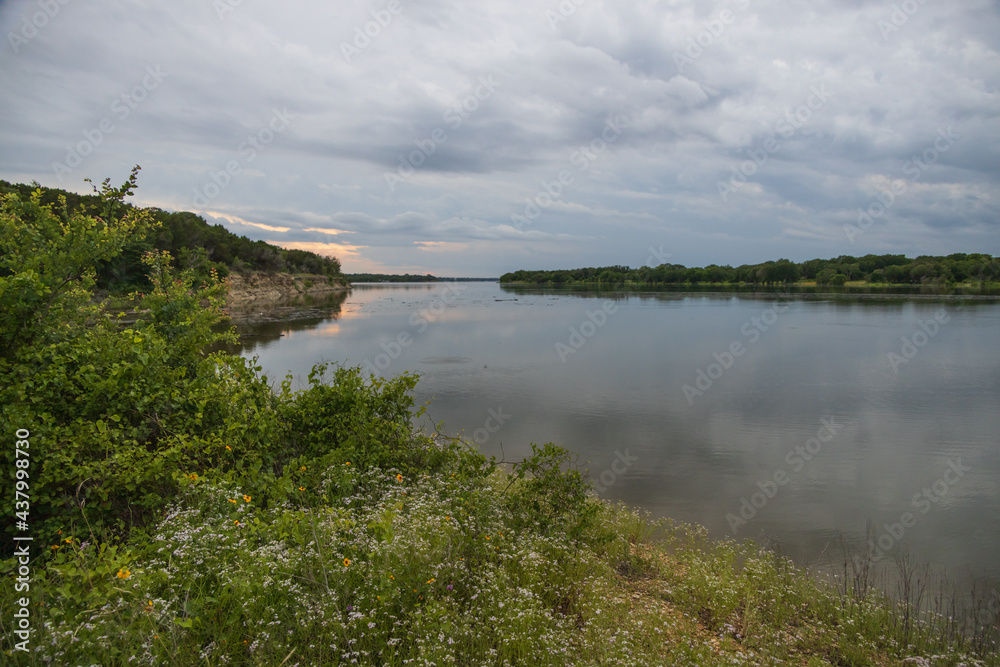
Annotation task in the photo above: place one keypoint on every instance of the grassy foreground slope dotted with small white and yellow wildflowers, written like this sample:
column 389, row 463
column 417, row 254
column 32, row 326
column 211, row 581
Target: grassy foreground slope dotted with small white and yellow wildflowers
column 373, row 568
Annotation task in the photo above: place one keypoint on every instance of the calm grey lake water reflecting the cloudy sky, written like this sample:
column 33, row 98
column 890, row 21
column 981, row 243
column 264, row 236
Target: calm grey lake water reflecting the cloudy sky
column 801, row 421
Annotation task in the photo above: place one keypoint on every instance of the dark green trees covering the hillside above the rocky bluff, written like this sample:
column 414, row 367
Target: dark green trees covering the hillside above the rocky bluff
column 192, row 242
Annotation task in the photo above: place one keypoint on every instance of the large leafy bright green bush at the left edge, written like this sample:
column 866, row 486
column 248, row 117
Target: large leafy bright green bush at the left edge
column 115, row 411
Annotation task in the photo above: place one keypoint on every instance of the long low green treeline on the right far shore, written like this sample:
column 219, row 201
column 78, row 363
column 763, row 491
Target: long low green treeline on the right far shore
column 880, row 269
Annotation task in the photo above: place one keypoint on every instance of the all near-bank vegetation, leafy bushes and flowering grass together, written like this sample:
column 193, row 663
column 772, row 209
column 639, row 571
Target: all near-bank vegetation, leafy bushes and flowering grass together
column 186, row 510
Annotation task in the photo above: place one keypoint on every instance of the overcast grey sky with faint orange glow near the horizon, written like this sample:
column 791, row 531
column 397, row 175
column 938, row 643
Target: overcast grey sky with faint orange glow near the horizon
column 470, row 139
